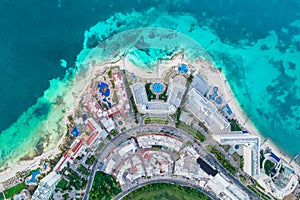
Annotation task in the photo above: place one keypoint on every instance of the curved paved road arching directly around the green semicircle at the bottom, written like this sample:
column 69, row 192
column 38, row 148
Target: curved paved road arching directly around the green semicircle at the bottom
column 172, row 180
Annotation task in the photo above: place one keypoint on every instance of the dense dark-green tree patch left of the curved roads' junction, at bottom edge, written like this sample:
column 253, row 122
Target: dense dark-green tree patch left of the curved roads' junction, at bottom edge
column 104, row 187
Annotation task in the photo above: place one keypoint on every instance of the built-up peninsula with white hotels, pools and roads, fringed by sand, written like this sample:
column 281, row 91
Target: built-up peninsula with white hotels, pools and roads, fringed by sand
column 179, row 123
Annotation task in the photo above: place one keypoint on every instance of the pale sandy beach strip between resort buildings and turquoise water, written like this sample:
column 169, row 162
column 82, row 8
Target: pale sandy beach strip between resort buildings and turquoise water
column 212, row 75
